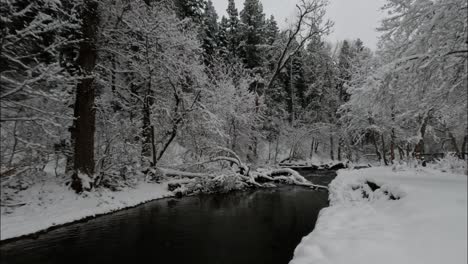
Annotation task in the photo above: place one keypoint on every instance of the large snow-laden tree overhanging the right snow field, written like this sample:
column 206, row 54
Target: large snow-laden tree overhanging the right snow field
column 420, row 77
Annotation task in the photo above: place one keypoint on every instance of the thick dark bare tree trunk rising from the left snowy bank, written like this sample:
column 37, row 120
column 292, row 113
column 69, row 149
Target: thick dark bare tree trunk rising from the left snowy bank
column 84, row 123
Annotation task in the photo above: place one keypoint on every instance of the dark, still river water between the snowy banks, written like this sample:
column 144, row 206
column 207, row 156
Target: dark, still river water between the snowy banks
column 261, row 226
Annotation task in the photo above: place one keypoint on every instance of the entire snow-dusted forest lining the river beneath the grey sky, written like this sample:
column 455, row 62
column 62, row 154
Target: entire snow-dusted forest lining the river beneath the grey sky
column 109, row 90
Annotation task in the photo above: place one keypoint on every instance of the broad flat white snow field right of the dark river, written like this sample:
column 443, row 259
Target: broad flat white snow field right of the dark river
column 426, row 223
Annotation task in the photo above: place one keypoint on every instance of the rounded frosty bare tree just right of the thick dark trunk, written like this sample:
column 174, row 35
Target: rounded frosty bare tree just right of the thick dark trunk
column 159, row 61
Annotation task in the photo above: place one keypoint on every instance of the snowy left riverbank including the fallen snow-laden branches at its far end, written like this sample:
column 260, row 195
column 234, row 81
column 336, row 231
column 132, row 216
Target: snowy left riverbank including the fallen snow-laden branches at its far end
column 48, row 202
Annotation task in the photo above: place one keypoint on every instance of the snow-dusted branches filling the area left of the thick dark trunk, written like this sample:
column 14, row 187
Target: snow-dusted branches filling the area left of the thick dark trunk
column 35, row 81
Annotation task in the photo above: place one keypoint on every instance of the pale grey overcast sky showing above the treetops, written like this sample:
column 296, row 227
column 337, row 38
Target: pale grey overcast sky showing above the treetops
column 353, row 18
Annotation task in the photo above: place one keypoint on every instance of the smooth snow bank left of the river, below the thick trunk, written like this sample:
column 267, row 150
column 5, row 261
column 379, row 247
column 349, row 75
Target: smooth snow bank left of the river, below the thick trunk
column 51, row 203
